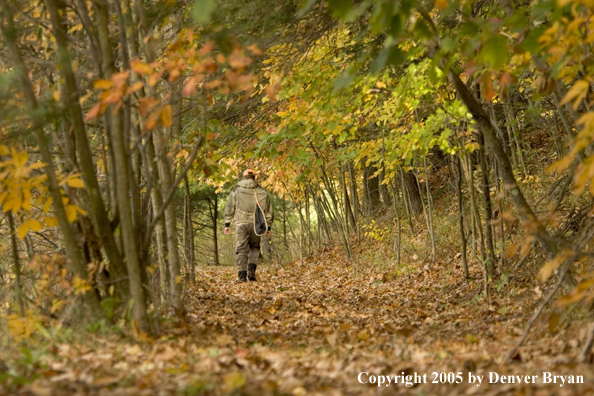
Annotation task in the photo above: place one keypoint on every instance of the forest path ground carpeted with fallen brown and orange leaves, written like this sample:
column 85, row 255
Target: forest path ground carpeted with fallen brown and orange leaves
column 312, row 326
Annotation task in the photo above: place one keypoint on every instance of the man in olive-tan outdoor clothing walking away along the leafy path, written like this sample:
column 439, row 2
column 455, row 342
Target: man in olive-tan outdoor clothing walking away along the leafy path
column 240, row 209
